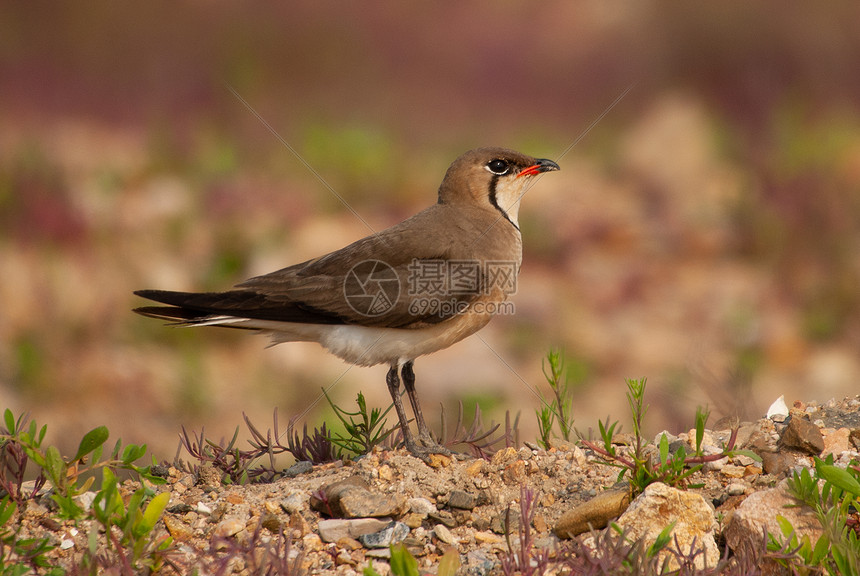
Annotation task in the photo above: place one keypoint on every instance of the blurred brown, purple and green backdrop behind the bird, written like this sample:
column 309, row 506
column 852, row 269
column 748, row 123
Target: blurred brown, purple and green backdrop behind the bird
column 704, row 230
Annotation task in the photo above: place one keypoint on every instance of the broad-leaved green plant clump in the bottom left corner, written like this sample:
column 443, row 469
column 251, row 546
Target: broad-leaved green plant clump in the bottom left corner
column 22, row 441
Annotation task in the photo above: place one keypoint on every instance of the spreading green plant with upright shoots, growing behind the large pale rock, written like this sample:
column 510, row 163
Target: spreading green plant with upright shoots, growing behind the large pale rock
column 673, row 469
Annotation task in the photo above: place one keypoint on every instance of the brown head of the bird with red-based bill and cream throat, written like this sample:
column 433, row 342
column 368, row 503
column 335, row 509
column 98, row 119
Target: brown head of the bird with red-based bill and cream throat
column 495, row 178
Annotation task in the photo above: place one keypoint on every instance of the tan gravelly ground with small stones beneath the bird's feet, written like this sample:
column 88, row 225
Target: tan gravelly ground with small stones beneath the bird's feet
column 453, row 503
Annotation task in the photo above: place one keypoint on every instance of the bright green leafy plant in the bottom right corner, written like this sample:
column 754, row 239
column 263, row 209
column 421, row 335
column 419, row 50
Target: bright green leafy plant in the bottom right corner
column 834, row 494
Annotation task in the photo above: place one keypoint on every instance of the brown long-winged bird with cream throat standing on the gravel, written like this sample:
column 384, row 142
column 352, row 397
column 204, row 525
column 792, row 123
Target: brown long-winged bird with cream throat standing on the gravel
column 404, row 292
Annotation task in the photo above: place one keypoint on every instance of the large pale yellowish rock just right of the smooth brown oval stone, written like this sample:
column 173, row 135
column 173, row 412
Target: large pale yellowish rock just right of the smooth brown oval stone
column 660, row 505
